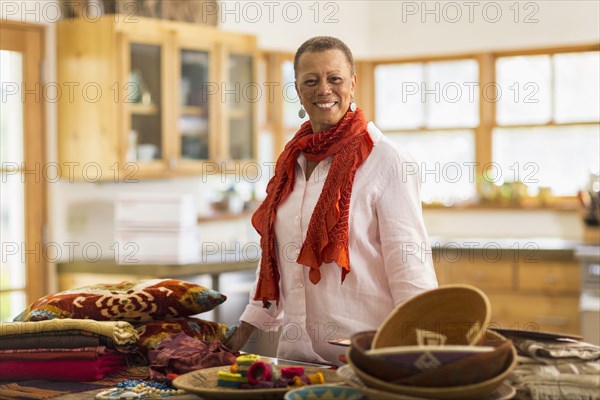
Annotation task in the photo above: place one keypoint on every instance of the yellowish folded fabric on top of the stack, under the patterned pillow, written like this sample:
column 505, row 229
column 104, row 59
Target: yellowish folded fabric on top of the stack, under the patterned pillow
column 120, row 332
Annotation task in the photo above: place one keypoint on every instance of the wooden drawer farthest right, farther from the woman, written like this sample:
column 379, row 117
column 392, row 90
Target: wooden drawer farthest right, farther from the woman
column 549, row 276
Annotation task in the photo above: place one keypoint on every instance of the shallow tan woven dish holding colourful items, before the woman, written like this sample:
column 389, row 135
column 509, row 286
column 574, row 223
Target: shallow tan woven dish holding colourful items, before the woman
column 203, row 382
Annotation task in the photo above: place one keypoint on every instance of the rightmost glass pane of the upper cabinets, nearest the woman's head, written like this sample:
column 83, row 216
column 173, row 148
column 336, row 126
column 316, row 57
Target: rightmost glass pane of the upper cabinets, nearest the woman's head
column 240, row 106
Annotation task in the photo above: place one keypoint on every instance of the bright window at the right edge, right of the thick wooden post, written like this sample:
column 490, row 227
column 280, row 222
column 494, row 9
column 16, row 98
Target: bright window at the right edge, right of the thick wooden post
column 547, row 132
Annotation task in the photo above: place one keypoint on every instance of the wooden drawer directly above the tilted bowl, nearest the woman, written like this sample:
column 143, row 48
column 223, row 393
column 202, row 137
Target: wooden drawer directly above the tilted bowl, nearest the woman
column 484, row 275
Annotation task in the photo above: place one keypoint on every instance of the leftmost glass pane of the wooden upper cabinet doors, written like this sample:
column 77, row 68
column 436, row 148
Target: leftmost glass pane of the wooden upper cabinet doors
column 144, row 95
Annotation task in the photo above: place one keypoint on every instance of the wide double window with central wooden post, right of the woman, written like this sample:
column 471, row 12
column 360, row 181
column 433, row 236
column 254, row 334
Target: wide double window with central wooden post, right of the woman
column 533, row 116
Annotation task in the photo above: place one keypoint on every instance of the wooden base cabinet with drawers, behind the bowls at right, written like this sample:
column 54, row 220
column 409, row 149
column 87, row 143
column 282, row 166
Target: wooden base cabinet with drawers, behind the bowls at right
column 540, row 293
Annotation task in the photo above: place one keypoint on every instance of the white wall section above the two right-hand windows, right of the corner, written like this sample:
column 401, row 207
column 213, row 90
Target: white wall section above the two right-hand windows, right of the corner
column 406, row 28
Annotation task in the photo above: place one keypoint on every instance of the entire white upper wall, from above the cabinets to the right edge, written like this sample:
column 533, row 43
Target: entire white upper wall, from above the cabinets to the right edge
column 394, row 28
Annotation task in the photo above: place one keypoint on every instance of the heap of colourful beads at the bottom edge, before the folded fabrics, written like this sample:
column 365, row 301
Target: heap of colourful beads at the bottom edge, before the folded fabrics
column 139, row 389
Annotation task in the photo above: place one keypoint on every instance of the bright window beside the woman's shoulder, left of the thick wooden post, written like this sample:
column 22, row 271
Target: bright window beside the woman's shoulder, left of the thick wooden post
column 430, row 110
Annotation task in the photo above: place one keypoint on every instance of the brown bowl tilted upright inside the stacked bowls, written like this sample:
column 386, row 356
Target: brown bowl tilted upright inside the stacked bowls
column 449, row 315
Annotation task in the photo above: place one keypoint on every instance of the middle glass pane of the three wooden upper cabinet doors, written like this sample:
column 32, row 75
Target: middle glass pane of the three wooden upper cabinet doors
column 194, row 105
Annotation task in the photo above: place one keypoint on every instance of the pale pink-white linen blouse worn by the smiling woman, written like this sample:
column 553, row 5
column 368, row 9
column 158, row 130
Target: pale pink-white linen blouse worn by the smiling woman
column 390, row 256
